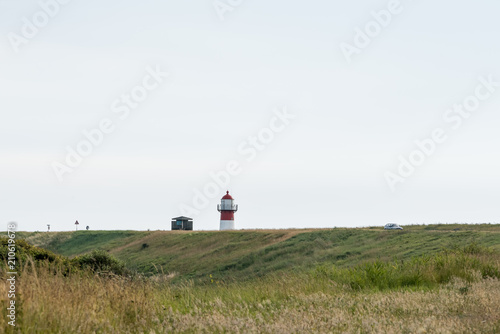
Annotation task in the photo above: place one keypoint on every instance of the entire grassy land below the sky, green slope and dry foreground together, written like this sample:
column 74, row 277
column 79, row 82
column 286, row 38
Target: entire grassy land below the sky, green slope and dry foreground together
column 425, row 279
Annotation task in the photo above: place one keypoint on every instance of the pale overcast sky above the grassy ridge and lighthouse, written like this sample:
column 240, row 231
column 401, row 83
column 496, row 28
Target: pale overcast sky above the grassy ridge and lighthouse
column 312, row 104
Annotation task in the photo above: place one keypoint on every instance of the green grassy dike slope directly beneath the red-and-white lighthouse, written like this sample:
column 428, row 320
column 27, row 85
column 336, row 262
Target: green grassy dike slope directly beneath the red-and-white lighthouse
column 253, row 253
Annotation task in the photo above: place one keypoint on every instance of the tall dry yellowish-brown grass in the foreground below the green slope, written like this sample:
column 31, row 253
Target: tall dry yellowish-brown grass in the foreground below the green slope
column 82, row 302
